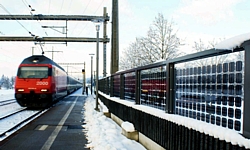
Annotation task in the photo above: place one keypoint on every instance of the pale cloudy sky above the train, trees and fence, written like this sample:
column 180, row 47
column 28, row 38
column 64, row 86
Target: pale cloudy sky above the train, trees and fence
column 194, row 19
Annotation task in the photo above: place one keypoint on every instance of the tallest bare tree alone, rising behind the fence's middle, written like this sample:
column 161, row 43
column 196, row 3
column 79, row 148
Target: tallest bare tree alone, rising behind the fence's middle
column 161, row 41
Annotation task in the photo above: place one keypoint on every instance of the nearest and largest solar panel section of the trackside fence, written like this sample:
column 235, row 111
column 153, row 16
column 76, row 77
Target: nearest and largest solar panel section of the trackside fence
column 212, row 93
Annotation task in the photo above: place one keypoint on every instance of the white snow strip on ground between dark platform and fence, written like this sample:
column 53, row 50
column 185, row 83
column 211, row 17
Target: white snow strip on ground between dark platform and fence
column 103, row 133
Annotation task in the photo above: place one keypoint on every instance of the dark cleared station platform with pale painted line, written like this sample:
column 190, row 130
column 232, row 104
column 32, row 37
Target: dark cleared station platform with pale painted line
column 58, row 128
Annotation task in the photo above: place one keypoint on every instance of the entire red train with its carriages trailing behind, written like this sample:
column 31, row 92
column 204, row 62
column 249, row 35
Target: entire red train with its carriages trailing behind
column 40, row 81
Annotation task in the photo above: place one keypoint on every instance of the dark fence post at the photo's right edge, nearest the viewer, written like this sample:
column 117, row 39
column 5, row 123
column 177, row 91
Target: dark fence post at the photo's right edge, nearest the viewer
column 246, row 110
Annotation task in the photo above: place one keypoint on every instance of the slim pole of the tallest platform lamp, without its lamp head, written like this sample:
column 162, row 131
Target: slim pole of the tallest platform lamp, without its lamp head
column 97, row 64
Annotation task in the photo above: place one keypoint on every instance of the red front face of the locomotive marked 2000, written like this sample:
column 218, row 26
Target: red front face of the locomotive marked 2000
column 33, row 85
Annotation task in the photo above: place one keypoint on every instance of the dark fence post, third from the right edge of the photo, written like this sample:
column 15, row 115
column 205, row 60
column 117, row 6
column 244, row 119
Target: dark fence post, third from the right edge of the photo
column 137, row 86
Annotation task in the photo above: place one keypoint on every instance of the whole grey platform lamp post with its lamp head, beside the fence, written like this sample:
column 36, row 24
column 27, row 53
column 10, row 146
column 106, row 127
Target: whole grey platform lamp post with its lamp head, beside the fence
column 97, row 24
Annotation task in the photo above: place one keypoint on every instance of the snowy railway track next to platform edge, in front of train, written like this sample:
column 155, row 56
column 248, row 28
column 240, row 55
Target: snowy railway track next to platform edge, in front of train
column 14, row 121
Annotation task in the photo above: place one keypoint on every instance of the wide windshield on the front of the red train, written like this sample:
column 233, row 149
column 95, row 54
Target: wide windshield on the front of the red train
column 33, row 72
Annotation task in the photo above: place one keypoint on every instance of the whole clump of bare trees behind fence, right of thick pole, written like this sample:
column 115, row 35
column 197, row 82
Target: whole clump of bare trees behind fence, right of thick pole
column 161, row 42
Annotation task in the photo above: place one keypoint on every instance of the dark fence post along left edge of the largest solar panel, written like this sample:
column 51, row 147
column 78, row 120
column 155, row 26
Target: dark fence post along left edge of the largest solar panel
column 170, row 97
